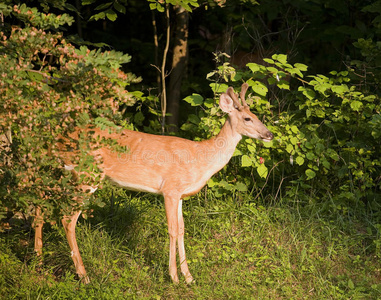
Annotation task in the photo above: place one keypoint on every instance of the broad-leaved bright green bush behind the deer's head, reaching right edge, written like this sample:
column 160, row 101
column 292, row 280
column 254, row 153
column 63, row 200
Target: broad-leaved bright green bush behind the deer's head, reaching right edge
column 326, row 141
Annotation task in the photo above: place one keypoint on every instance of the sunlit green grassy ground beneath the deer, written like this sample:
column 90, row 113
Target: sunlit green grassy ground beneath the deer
column 236, row 250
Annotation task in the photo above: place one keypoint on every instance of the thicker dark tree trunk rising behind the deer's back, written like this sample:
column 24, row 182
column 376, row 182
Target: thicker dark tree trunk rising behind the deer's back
column 179, row 60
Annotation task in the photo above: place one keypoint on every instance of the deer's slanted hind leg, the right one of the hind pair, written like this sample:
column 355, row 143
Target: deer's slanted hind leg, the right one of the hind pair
column 69, row 223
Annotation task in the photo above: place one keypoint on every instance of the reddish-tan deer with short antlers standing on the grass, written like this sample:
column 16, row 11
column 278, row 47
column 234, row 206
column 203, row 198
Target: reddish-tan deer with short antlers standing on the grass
column 169, row 166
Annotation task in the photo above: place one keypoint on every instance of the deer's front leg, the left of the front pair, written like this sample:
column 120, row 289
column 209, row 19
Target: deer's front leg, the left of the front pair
column 171, row 210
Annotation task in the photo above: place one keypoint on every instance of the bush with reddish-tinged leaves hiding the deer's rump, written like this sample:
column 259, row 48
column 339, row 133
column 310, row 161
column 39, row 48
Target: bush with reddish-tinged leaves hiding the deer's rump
column 48, row 88
